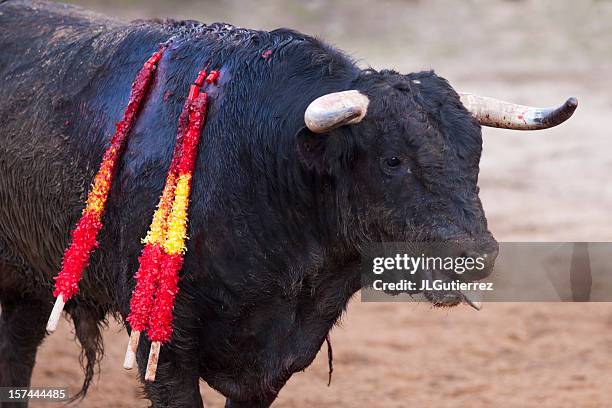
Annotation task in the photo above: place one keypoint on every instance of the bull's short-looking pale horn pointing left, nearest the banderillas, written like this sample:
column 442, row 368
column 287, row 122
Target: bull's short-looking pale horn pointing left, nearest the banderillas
column 336, row 109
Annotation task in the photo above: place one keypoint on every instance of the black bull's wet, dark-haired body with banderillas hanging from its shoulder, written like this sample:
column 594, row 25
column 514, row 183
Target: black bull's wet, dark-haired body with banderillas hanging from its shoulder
column 279, row 214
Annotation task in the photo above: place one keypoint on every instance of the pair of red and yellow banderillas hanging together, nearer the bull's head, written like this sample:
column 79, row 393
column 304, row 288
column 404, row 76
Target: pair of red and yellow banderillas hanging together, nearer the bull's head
column 152, row 302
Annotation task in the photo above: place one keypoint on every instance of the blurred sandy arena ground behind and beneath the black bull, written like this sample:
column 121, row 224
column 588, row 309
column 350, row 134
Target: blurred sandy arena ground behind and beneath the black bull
column 552, row 185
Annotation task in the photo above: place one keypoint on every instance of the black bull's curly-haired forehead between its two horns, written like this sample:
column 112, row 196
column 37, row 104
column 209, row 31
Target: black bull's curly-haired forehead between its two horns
column 421, row 113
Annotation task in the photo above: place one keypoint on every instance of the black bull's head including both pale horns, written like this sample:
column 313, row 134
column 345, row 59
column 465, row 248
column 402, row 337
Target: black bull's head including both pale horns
column 415, row 146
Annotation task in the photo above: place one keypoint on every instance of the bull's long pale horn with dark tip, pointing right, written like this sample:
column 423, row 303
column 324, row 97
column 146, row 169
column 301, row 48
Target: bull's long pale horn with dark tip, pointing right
column 495, row 113
